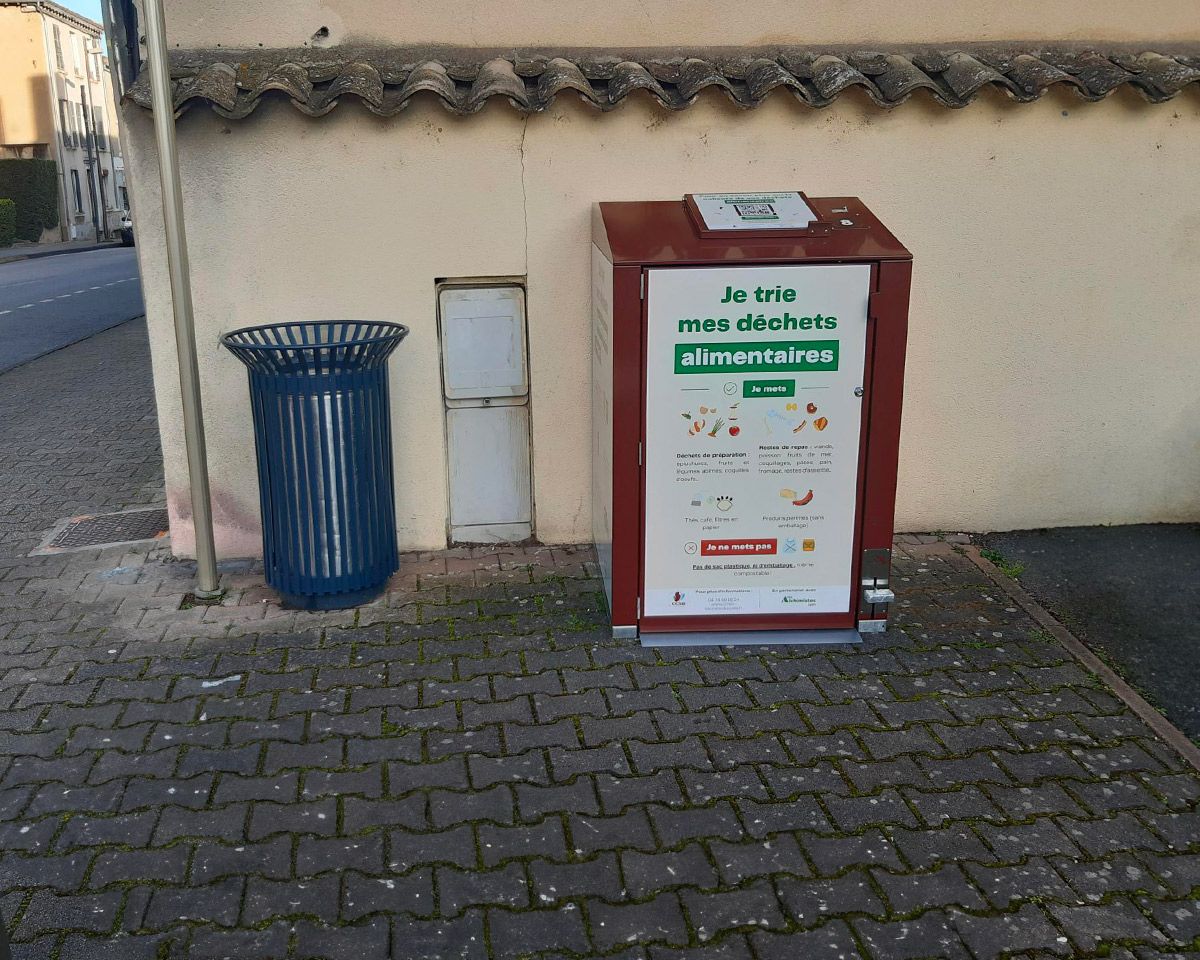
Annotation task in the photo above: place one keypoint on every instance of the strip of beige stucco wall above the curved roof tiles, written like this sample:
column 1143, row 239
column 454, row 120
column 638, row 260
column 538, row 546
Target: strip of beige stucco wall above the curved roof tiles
column 652, row 23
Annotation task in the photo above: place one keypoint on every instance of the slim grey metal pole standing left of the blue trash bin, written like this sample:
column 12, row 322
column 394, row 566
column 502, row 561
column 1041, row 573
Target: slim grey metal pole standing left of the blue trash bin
column 182, row 298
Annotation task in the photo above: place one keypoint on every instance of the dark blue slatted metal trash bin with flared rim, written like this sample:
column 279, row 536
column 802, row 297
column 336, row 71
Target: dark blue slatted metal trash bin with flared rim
column 323, row 443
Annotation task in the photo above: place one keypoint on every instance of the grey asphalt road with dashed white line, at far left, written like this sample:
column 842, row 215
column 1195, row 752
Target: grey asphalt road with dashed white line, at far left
column 51, row 303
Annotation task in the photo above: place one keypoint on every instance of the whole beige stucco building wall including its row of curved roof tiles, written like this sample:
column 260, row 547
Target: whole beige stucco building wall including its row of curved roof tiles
column 344, row 158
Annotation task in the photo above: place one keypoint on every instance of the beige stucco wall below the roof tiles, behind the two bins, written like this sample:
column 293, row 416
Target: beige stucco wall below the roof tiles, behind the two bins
column 1053, row 358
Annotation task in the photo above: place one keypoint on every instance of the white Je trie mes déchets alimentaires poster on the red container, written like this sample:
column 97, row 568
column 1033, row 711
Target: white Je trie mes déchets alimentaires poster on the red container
column 753, row 439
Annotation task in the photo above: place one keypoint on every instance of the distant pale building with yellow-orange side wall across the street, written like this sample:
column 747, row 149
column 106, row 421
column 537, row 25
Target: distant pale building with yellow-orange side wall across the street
column 57, row 104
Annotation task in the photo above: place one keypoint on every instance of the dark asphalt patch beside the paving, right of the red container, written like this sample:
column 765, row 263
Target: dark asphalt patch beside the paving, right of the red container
column 1130, row 593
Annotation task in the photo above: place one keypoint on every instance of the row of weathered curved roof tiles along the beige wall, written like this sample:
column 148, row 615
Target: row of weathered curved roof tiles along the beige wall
column 386, row 80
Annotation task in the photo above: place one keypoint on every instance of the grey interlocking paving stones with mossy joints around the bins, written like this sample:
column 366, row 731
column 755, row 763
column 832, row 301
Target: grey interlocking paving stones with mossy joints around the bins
column 473, row 769
